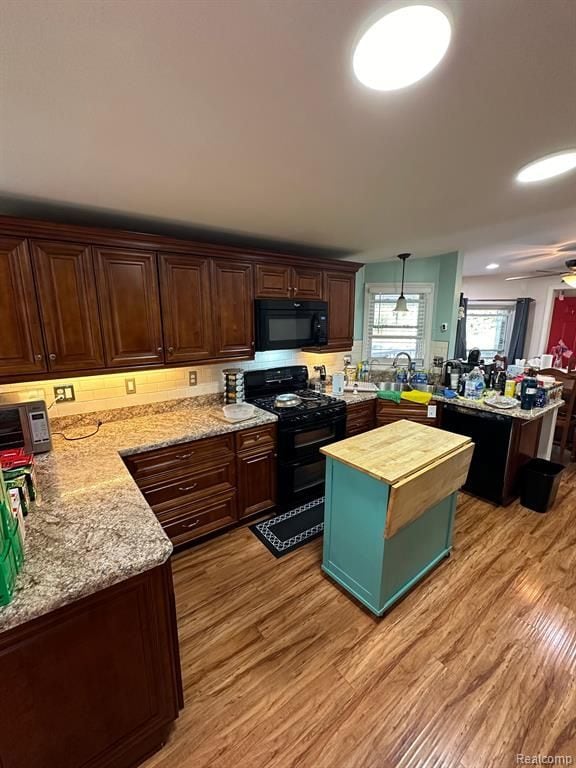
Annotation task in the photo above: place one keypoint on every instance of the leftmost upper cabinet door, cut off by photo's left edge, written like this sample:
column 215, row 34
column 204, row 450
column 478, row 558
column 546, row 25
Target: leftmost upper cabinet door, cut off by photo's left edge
column 21, row 346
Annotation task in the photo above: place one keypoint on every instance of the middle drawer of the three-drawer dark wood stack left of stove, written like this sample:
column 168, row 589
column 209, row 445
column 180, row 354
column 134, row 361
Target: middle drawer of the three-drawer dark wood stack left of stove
column 174, row 490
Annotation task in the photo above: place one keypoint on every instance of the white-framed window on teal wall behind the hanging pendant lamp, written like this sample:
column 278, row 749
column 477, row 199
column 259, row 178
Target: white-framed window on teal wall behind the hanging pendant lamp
column 386, row 333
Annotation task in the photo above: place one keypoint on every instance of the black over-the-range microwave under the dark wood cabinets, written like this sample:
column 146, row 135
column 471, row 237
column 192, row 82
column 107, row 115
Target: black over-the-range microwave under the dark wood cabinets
column 290, row 324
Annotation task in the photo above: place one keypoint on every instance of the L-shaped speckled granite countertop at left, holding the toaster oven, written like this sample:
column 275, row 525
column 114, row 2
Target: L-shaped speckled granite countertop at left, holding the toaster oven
column 91, row 527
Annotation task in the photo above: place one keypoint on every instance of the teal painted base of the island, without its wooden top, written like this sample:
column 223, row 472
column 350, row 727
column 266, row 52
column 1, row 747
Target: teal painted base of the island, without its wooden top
column 377, row 570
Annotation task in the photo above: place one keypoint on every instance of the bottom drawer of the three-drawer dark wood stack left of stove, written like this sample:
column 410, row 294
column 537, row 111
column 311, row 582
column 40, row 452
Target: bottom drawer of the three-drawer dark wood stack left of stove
column 189, row 521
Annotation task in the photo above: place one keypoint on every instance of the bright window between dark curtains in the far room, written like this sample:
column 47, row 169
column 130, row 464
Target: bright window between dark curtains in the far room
column 488, row 327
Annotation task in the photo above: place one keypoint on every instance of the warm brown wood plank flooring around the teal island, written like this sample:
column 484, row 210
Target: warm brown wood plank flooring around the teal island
column 475, row 666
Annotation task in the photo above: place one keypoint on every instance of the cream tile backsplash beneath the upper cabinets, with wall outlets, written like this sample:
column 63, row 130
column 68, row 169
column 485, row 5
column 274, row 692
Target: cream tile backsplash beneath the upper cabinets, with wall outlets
column 108, row 391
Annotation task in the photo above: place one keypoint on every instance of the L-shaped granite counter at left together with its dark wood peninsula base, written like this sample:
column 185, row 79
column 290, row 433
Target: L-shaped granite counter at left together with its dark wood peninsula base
column 89, row 661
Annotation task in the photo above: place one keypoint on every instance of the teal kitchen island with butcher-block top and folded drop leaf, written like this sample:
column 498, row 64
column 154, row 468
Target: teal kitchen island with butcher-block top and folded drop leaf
column 389, row 509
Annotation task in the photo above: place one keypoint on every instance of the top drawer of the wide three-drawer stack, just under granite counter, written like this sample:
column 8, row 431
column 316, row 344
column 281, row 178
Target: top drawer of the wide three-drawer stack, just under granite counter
column 184, row 456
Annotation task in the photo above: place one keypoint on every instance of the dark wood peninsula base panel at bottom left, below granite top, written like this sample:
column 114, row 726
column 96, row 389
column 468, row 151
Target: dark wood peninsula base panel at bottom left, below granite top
column 95, row 684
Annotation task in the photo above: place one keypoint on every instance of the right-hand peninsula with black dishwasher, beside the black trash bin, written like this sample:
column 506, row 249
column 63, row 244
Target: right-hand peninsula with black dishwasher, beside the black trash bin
column 504, row 441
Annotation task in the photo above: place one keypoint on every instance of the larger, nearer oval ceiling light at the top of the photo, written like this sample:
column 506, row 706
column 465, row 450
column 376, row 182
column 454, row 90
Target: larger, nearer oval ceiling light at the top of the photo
column 402, row 47
